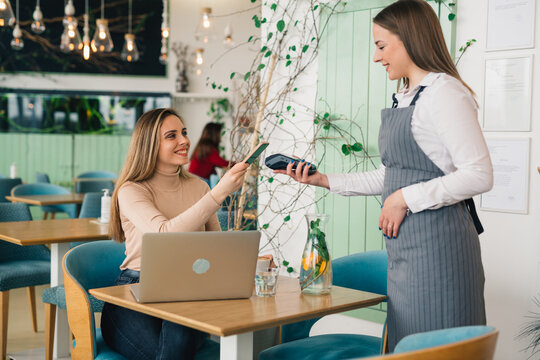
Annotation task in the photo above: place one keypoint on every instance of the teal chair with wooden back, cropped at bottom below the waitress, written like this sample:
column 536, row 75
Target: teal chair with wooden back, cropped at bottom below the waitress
column 467, row 342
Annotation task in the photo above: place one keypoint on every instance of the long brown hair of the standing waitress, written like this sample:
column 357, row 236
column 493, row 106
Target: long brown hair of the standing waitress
column 418, row 27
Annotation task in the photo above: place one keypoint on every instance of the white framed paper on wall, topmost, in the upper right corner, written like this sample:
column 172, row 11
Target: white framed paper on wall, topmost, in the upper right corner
column 503, row 15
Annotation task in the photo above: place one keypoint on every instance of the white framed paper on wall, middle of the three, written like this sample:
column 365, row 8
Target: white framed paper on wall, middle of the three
column 507, row 93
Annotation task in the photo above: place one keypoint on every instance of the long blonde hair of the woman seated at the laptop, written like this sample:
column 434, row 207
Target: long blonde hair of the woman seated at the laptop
column 141, row 160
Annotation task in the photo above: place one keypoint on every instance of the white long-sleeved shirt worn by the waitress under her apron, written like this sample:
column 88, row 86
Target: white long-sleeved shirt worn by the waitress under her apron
column 445, row 126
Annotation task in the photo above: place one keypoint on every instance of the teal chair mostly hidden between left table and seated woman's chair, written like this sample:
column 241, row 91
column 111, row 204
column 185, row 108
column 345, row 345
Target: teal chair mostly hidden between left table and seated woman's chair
column 55, row 296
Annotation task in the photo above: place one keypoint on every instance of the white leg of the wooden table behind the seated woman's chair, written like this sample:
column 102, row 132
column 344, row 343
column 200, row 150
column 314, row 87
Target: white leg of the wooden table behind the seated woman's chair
column 61, row 331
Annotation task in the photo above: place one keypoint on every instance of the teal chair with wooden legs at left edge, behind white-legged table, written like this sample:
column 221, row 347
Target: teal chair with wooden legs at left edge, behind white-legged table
column 20, row 266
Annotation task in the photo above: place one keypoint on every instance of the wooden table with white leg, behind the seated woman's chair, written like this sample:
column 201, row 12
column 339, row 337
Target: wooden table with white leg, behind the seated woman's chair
column 58, row 233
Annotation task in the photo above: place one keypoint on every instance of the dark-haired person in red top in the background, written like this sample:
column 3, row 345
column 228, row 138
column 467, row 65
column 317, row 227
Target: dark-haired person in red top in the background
column 205, row 156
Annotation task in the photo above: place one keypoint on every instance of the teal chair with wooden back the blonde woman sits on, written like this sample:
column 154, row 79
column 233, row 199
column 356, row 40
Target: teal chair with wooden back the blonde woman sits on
column 94, row 265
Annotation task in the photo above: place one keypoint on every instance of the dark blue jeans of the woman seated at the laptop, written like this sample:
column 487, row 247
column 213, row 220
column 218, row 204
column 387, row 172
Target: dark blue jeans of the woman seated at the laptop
column 139, row 336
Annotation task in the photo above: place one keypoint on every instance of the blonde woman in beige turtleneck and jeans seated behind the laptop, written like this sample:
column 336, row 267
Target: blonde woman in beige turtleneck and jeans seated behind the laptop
column 155, row 194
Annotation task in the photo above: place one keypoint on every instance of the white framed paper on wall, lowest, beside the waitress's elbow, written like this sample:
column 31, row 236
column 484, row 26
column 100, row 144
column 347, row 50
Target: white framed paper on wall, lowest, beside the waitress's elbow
column 510, row 192
